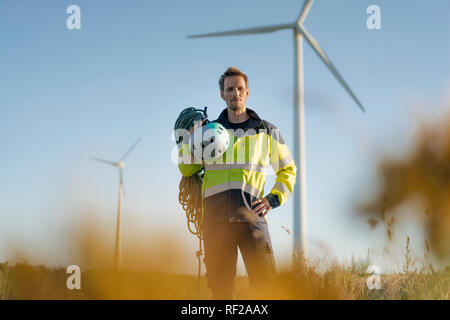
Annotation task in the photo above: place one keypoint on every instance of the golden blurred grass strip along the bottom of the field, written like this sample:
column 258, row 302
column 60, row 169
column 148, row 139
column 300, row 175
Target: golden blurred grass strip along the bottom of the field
column 24, row 281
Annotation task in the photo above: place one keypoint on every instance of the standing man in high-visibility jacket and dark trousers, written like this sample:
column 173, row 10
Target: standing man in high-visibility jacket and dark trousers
column 234, row 206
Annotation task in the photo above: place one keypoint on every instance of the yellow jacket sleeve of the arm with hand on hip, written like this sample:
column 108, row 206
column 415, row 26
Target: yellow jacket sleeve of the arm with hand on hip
column 283, row 164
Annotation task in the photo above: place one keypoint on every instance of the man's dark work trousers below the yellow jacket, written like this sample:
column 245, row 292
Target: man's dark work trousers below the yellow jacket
column 221, row 241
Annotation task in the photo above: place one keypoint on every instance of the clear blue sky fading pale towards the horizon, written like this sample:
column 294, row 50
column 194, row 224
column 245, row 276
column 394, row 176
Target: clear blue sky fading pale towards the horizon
column 68, row 95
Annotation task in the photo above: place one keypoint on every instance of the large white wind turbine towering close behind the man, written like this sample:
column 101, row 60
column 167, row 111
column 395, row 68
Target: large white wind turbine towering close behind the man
column 299, row 32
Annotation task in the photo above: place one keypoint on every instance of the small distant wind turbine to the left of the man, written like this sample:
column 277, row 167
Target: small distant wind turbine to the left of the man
column 119, row 164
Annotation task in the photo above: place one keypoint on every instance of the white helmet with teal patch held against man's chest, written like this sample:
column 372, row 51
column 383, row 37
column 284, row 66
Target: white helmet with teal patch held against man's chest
column 209, row 142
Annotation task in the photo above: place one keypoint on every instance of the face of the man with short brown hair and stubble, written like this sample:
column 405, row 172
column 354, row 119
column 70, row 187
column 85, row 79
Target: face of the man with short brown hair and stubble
column 235, row 93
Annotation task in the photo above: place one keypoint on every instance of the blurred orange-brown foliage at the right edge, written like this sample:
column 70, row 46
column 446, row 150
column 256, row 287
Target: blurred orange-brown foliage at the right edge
column 423, row 176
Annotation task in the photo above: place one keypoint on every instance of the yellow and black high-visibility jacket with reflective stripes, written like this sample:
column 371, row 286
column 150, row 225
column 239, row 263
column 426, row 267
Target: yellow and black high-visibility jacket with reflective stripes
column 232, row 182
